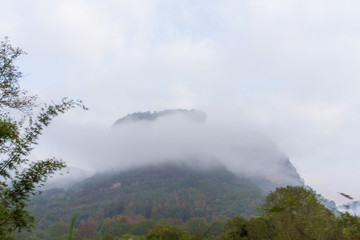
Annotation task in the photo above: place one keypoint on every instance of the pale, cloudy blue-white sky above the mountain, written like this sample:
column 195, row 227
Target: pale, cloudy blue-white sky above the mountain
column 288, row 69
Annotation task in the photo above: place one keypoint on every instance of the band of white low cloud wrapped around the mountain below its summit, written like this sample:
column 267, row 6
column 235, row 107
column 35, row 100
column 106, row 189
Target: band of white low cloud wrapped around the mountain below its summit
column 177, row 138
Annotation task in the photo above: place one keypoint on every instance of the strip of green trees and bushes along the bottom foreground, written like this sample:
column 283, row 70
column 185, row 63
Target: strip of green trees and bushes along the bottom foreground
column 287, row 213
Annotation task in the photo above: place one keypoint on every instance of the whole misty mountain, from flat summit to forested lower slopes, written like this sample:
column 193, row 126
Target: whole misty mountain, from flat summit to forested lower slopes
column 185, row 168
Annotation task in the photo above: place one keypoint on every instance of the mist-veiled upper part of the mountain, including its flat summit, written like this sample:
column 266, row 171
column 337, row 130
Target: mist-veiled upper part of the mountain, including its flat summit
column 185, row 135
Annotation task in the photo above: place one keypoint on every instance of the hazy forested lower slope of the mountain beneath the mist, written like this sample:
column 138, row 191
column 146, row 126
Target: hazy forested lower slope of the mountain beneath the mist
column 166, row 191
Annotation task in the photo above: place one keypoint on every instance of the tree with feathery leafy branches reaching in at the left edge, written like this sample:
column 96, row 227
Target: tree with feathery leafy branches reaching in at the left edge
column 19, row 132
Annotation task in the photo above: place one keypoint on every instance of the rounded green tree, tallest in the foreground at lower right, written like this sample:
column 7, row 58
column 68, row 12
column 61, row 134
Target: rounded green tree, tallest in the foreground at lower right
column 296, row 213
